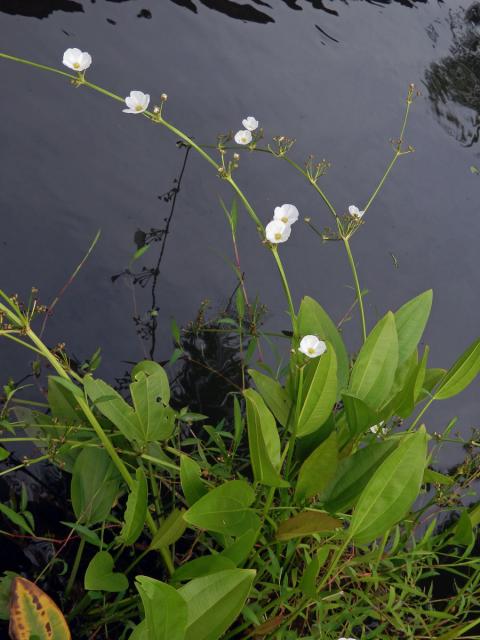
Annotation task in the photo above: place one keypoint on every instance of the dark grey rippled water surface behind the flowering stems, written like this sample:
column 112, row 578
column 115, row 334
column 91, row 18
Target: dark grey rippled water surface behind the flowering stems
column 331, row 74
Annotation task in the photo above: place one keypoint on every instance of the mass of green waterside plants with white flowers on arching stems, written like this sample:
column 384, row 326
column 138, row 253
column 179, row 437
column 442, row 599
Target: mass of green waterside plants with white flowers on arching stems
column 313, row 512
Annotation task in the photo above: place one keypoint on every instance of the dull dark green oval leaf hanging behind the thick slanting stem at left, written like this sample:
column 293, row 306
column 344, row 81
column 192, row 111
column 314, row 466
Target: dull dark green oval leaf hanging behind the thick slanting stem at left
column 94, row 487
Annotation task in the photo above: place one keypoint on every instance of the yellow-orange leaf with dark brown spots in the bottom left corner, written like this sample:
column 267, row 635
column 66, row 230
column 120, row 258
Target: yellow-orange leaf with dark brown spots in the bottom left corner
column 33, row 614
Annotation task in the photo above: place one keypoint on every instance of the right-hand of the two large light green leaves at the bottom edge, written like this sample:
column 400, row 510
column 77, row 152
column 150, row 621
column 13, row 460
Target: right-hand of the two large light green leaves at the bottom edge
column 215, row 601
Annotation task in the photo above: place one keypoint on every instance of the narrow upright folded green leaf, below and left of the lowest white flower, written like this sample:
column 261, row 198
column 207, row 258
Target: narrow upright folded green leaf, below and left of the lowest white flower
column 263, row 440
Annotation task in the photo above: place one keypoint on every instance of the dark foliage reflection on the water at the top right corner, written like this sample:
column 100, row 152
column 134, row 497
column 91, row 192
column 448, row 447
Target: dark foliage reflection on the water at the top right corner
column 453, row 83
